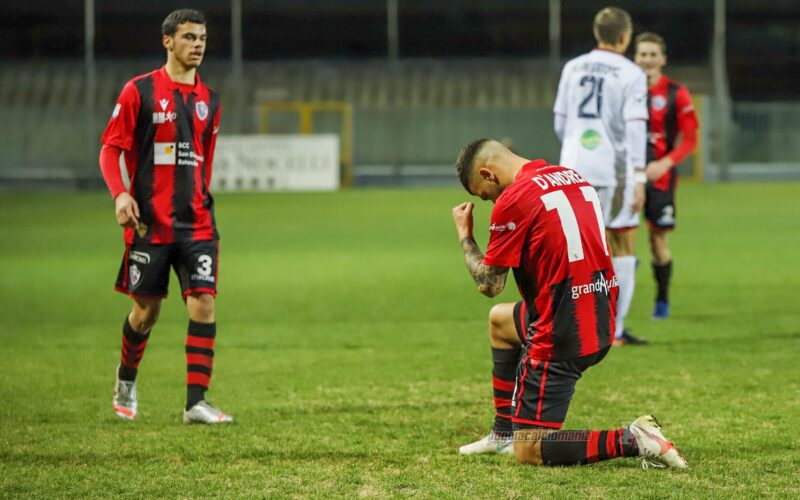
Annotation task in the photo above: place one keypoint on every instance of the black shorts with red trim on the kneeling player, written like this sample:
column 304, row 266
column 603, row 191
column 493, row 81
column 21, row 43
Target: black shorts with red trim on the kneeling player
column 545, row 388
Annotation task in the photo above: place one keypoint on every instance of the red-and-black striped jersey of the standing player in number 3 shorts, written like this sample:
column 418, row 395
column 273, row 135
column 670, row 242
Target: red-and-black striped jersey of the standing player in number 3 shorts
column 168, row 132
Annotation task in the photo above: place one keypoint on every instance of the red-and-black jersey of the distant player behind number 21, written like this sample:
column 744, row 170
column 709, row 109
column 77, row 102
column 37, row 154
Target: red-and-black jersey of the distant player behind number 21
column 671, row 112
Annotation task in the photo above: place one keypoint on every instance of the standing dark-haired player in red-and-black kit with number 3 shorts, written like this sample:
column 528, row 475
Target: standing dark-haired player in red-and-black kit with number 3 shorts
column 165, row 124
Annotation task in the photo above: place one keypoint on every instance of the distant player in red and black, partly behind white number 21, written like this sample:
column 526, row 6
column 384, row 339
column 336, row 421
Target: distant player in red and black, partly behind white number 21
column 671, row 114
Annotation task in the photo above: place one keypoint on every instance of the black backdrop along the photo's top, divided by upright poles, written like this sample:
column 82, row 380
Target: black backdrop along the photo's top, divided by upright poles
column 763, row 44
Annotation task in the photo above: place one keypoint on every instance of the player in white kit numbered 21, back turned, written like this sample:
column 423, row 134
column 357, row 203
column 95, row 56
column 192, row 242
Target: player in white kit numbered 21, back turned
column 601, row 119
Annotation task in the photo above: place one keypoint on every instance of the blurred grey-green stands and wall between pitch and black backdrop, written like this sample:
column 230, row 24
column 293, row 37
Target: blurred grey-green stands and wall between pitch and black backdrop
column 414, row 115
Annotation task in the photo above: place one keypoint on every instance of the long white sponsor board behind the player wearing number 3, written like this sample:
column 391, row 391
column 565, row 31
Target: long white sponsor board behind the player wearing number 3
column 276, row 163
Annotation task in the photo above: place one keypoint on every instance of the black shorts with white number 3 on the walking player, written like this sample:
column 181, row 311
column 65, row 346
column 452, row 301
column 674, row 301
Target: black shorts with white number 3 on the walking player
column 145, row 268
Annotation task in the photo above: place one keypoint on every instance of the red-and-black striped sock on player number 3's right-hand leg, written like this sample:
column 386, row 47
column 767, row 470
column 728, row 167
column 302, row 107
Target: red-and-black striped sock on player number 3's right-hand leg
column 199, row 360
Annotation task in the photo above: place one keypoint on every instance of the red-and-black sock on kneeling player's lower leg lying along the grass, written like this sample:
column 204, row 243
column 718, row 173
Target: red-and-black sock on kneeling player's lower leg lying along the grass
column 587, row 447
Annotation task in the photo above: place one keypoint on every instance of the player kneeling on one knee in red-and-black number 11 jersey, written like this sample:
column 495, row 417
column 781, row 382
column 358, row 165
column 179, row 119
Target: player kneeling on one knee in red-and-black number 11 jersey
column 546, row 224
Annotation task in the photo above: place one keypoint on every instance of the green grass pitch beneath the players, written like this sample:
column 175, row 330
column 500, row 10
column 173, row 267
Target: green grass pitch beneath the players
column 353, row 353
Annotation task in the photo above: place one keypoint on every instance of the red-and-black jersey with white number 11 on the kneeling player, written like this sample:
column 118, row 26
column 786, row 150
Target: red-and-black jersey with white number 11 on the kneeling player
column 547, row 226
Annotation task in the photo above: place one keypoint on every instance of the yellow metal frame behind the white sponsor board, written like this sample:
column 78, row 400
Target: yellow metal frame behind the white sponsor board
column 306, row 111
